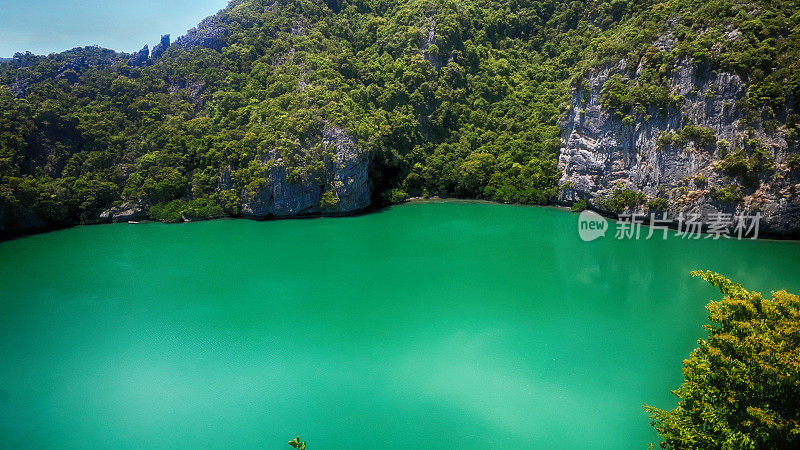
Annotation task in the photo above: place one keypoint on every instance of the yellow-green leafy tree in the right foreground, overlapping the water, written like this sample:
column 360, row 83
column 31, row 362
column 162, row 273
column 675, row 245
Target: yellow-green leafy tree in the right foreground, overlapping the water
column 740, row 389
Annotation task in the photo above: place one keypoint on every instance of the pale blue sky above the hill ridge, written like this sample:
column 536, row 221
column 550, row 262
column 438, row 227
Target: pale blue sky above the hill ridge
column 46, row 26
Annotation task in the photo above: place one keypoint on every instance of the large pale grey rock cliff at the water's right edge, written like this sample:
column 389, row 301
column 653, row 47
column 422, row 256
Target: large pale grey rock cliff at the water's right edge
column 603, row 153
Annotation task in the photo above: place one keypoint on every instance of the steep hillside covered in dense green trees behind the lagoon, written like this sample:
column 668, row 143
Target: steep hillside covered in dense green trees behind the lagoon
column 446, row 97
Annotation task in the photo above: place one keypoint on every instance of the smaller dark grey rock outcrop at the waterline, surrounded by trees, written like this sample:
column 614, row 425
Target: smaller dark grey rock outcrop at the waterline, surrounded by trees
column 342, row 186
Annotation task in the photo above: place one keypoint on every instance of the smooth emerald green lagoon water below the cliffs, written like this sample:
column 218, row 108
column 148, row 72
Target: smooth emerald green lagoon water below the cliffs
column 428, row 325
